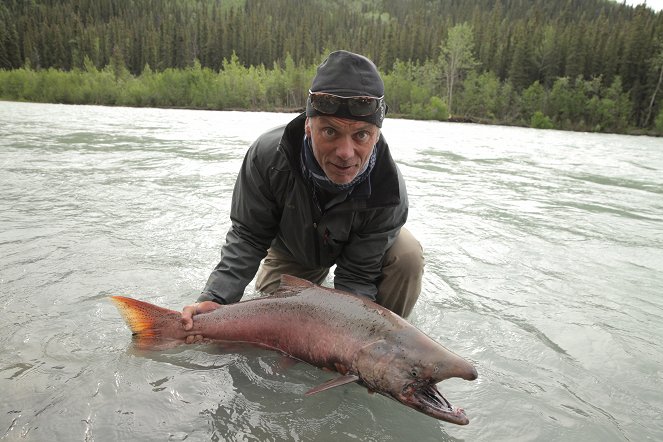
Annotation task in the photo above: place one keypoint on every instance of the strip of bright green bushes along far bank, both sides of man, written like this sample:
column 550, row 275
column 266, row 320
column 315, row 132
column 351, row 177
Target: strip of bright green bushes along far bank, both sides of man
column 284, row 90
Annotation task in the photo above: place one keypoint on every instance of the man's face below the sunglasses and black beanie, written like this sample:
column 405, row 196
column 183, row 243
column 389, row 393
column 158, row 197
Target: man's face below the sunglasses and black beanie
column 341, row 146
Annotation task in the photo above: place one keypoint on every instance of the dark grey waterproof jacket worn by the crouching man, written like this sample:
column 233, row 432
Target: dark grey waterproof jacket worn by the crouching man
column 273, row 206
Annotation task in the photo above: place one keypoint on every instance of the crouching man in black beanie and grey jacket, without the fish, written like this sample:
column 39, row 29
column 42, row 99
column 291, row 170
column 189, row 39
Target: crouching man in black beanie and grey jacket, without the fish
column 322, row 190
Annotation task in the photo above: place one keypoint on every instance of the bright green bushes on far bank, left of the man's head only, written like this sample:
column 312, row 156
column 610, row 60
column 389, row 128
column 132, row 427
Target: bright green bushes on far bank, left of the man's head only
column 234, row 87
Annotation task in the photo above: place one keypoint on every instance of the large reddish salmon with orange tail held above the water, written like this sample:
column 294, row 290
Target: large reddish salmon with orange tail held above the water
column 327, row 328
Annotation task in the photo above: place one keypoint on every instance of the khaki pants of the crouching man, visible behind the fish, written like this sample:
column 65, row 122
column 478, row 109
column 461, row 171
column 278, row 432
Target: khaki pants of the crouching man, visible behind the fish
column 399, row 285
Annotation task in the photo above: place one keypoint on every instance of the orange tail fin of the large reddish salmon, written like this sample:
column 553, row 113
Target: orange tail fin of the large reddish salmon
column 151, row 326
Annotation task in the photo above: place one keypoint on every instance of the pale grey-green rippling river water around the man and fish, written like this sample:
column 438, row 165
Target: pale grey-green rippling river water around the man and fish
column 544, row 267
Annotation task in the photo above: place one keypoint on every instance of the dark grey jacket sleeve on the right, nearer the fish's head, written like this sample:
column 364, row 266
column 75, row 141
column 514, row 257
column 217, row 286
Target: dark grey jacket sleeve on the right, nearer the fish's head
column 359, row 267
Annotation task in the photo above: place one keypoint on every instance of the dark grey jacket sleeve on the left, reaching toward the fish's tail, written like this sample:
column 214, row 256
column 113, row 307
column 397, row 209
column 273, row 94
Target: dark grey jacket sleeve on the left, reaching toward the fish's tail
column 254, row 215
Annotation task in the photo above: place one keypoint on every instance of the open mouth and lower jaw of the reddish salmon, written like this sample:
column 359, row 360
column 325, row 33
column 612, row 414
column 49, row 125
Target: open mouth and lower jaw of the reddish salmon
column 427, row 399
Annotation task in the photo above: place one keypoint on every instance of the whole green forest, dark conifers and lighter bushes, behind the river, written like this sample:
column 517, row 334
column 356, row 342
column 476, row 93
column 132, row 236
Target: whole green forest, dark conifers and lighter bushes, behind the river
column 589, row 65
